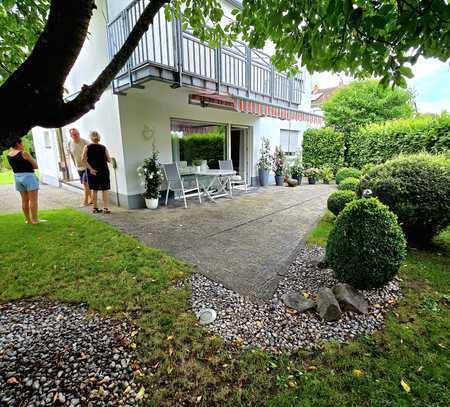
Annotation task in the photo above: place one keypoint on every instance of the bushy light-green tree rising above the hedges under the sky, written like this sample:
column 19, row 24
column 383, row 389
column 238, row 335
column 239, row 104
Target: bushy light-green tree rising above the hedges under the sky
column 366, row 102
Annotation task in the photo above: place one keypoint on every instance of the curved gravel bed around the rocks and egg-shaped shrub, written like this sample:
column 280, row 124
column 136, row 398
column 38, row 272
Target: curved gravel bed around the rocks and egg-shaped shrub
column 273, row 326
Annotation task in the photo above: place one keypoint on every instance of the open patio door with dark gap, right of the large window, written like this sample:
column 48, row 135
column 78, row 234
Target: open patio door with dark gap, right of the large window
column 238, row 151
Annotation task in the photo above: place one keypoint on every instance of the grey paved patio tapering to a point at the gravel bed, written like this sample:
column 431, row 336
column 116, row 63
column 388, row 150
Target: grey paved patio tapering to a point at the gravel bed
column 245, row 243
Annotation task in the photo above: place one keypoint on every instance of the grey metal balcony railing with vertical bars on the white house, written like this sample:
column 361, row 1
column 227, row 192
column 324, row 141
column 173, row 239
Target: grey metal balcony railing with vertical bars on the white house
column 168, row 53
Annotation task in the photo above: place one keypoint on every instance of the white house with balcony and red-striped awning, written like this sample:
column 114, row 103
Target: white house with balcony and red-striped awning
column 189, row 100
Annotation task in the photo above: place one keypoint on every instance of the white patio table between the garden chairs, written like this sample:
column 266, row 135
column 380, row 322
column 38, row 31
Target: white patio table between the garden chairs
column 218, row 181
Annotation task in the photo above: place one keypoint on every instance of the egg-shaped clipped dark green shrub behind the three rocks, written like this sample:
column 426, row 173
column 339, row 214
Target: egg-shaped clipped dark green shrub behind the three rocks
column 366, row 246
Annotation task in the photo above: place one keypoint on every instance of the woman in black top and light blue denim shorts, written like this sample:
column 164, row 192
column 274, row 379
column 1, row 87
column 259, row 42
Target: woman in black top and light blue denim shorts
column 27, row 184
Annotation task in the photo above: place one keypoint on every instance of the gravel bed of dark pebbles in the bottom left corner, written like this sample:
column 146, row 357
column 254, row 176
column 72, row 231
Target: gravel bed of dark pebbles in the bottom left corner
column 59, row 354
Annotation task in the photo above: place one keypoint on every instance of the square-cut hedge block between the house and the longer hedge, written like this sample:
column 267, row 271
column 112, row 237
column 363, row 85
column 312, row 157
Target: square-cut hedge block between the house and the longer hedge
column 323, row 147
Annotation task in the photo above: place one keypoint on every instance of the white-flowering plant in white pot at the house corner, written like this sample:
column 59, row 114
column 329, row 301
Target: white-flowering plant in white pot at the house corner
column 151, row 178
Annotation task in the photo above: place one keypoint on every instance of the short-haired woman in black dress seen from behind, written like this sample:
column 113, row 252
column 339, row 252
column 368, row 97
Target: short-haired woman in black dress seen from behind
column 97, row 158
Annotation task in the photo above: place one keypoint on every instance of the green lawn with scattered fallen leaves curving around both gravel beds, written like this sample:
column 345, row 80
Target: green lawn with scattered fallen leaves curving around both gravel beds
column 76, row 258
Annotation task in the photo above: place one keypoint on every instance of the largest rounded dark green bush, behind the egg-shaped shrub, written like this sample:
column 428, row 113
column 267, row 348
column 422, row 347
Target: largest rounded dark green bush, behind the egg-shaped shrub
column 417, row 189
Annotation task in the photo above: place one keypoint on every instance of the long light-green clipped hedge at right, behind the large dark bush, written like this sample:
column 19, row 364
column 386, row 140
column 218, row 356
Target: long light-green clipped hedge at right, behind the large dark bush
column 378, row 143
